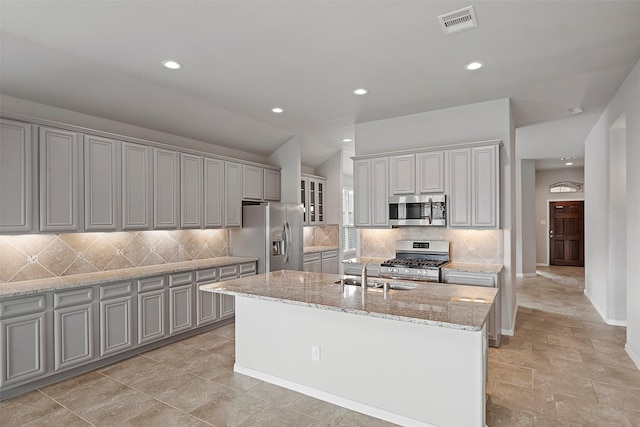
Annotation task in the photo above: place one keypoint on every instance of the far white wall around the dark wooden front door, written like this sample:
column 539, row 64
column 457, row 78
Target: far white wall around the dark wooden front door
column 544, row 178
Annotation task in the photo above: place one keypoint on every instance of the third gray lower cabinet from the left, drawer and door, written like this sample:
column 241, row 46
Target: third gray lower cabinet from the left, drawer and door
column 116, row 318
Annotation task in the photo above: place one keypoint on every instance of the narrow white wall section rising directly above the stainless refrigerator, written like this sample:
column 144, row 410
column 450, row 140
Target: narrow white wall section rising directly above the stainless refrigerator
column 287, row 157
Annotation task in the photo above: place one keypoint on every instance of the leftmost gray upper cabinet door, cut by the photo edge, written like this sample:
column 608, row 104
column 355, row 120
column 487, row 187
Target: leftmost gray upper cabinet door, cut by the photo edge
column 16, row 185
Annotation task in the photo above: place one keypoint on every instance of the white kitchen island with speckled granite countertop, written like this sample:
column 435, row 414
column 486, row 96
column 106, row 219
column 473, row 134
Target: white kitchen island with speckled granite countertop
column 412, row 357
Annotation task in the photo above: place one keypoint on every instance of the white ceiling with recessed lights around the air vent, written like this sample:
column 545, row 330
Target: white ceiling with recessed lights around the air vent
column 241, row 58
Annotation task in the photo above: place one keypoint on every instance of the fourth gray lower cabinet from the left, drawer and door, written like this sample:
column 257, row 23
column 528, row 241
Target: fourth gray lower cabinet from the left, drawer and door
column 151, row 310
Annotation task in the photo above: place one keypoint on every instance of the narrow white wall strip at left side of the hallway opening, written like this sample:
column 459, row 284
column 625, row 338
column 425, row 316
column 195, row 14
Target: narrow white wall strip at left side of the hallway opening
column 525, row 217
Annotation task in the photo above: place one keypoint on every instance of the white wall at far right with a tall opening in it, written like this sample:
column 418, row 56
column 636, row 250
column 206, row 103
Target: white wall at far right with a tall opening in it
column 597, row 196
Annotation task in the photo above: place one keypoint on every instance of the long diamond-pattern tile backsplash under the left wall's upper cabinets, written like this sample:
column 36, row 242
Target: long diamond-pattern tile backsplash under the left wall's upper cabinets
column 38, row 256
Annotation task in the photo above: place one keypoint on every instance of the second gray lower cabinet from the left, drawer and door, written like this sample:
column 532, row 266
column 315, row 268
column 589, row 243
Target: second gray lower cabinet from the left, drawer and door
column 73, row 333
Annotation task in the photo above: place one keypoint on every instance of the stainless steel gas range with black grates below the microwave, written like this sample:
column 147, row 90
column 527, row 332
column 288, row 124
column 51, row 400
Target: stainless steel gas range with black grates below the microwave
column 417, row 260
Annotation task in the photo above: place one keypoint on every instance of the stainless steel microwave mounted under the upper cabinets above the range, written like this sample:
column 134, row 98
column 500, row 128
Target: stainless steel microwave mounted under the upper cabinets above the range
column 420, row 210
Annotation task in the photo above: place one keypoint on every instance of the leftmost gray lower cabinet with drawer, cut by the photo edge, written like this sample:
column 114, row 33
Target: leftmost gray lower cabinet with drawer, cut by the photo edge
column 23, row 332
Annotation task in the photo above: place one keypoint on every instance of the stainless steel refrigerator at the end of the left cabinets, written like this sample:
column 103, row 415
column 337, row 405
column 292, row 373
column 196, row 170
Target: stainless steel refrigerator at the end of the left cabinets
column 271, row 232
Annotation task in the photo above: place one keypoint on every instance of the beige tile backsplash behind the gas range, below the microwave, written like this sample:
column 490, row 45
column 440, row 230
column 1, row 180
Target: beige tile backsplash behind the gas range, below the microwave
column 473, row 246
